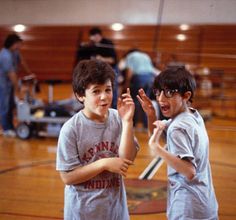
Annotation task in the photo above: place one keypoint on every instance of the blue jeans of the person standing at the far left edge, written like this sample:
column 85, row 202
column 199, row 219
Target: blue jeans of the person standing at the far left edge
column 7, row 105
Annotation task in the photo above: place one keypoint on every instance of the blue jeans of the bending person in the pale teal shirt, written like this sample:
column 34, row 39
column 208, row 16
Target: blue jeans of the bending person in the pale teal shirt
column 144, row 81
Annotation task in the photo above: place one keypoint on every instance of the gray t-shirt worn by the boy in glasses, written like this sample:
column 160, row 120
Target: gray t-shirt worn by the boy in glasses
column 187, row 138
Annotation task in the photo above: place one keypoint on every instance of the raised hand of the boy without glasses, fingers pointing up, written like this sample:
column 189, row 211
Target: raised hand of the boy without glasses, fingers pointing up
column 125, row 106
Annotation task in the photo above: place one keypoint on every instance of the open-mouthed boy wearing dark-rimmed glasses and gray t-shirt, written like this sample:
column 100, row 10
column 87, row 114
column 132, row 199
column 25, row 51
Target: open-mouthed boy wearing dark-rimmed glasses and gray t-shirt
column 190, row 190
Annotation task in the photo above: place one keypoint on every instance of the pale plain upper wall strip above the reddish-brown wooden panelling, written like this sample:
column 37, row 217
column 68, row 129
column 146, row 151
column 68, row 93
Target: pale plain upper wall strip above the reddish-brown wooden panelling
column 129, row 12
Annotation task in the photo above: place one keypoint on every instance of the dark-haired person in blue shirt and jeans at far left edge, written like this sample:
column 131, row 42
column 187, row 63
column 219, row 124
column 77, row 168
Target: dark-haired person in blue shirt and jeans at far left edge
column 10, row 59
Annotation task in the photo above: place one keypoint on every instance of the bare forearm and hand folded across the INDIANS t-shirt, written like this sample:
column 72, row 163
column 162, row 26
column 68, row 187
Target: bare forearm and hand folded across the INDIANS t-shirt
column 87, row 172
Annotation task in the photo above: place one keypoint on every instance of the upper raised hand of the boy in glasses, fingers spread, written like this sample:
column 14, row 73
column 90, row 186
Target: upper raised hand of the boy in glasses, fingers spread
column 146, row 103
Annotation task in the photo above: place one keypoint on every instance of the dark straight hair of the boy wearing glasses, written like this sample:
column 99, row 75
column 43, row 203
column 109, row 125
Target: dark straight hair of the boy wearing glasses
column 176, row 78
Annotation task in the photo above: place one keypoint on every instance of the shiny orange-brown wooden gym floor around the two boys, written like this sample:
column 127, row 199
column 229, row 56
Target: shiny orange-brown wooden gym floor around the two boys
column 30, row 188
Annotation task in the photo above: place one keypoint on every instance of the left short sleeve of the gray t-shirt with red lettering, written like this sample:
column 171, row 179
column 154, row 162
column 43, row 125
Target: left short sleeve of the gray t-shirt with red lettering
column 67, row 149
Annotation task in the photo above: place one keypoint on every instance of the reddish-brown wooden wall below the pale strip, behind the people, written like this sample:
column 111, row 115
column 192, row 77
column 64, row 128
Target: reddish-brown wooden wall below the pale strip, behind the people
column 50, row 50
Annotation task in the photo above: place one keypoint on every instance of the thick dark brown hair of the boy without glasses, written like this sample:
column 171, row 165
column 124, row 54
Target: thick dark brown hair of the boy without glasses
column 91, row 72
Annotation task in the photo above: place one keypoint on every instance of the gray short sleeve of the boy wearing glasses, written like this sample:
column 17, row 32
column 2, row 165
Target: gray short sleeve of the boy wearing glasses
column 180, row 144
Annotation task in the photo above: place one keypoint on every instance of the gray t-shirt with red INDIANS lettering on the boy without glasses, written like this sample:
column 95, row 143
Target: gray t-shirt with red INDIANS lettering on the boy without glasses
column 83, row 141
